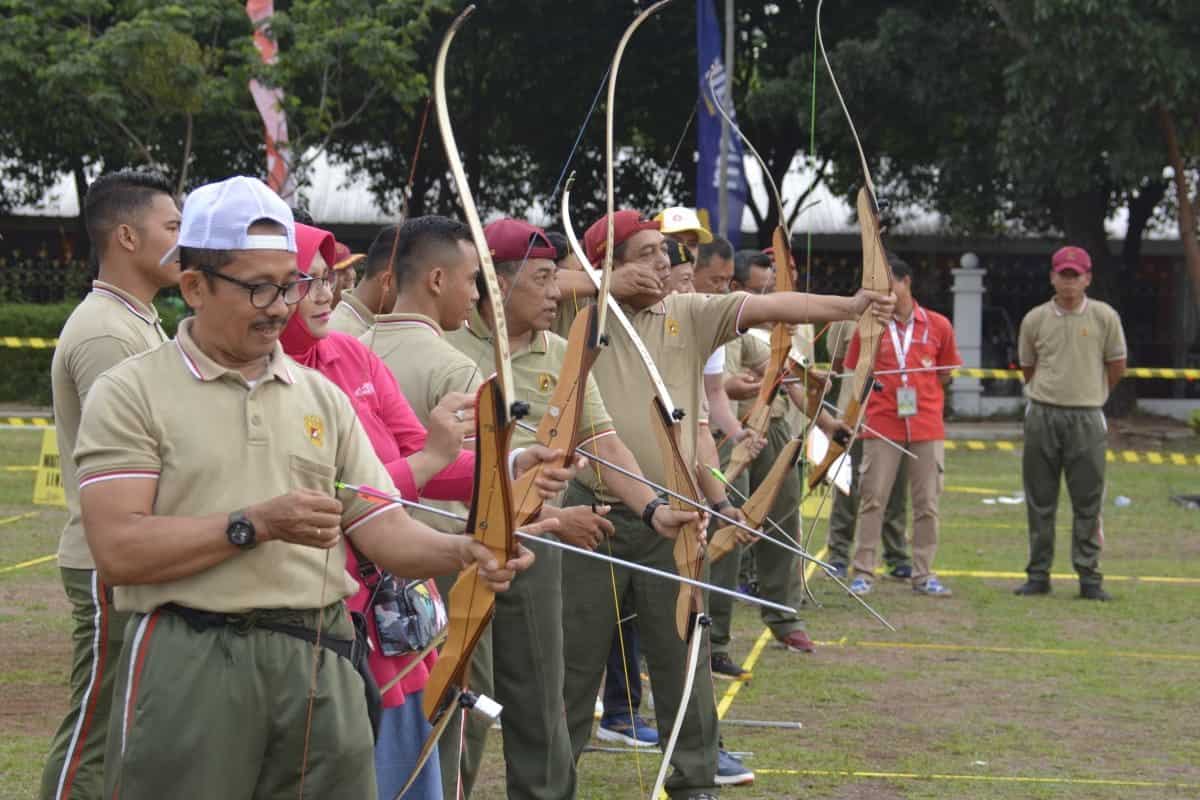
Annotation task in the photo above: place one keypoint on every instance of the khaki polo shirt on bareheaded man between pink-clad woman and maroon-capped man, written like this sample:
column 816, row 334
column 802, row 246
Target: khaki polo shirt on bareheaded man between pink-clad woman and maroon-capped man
column 428, row 369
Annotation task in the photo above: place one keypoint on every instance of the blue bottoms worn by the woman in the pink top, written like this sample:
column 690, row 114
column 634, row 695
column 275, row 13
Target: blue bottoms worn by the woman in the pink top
column 403, row 733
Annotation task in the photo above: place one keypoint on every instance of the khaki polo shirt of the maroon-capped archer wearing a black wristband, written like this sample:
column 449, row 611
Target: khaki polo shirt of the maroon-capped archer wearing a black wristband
column 535, row 377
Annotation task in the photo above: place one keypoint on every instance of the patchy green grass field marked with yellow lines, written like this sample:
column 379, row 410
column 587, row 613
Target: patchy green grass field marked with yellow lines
column 981, row 696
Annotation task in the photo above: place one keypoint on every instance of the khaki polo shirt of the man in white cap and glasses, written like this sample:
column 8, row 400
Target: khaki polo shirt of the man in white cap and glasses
column 213, row 443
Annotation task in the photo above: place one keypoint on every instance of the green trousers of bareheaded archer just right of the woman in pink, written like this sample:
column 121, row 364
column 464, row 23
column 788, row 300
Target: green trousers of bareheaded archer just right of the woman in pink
column 470, row 750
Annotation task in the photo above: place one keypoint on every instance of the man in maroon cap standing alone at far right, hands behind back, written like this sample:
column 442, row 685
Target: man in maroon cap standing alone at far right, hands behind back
column 1073, row 353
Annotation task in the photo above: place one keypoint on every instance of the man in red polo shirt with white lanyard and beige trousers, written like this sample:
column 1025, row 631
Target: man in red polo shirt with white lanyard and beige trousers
column 909, row 412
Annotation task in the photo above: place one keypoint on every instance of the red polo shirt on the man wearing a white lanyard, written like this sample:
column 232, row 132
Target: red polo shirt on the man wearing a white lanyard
column 933, row 346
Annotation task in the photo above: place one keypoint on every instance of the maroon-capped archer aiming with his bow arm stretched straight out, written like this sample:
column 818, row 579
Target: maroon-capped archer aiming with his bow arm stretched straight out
column 680, row 334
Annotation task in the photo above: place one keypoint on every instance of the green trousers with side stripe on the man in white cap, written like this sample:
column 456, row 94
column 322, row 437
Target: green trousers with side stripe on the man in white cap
column 225, row 713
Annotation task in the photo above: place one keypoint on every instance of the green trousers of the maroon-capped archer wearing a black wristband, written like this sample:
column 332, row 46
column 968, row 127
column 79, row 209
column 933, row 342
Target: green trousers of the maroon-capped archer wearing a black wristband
column 527, row 660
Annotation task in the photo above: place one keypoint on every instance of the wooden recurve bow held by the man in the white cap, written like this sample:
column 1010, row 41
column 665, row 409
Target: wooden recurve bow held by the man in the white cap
column 471, row 603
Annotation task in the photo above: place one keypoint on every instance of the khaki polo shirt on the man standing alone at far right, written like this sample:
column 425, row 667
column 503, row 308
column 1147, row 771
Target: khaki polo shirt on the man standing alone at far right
column 1070, row 351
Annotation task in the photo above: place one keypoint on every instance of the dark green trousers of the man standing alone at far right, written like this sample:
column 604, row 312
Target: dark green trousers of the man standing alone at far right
column 1069, row 442
